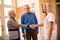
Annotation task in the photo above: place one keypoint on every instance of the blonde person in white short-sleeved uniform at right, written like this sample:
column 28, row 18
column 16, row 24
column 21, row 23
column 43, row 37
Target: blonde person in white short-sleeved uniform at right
column 49, row 23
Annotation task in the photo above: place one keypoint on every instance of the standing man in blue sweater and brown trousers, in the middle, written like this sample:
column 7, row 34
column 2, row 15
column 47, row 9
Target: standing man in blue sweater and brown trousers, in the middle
column 29, row 18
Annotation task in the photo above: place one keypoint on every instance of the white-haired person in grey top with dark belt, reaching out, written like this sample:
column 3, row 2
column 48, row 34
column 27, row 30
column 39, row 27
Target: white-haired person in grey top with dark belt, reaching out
column 13, row 27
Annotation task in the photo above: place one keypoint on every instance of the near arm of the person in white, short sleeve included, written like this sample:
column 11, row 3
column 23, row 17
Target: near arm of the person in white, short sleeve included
column 51, row 21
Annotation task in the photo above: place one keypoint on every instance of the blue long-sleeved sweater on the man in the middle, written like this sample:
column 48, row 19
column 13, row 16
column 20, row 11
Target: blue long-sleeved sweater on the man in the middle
column 28, row 19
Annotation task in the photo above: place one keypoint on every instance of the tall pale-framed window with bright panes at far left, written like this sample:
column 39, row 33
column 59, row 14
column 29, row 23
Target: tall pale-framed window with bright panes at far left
column 7, row 6
